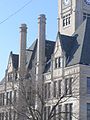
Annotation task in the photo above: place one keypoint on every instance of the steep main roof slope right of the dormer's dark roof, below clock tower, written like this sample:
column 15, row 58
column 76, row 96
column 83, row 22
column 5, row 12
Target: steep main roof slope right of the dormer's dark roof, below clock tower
column 81, row 46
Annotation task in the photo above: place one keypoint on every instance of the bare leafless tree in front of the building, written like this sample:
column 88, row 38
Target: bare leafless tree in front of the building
column 33, row 104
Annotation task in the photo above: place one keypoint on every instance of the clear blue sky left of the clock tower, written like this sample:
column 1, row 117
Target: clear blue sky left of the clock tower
column 12, row 16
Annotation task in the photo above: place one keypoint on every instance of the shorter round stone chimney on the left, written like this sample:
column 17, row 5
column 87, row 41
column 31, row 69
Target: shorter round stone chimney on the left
column 22, row 56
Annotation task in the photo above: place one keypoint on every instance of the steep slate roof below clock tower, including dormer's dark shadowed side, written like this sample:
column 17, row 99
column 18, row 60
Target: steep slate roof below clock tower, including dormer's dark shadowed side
column 77, row 46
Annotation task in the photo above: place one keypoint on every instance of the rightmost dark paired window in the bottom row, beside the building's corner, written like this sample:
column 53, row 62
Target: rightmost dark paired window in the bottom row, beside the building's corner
column 68, row 111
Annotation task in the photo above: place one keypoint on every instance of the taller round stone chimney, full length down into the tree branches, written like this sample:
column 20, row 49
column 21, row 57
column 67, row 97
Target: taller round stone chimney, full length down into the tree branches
column 40, row 54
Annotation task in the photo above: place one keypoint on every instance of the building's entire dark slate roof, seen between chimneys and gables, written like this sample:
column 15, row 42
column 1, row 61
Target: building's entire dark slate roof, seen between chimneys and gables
column 76, row 48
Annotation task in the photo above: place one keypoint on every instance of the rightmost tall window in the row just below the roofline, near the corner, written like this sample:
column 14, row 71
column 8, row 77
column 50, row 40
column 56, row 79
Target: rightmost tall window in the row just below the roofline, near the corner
column 68, row 86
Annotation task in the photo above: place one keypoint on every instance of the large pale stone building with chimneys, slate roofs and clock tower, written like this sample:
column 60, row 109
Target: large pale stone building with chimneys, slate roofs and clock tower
column 63, row 66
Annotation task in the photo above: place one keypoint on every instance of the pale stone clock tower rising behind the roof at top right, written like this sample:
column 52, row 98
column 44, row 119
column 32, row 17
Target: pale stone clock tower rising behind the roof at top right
column 71, row 13
